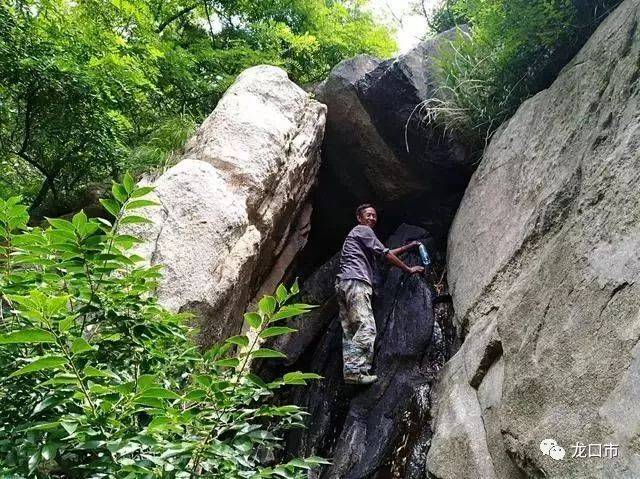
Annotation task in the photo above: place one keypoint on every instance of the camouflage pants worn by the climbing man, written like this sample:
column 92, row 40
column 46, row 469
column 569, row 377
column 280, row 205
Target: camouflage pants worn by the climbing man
column 358, row 325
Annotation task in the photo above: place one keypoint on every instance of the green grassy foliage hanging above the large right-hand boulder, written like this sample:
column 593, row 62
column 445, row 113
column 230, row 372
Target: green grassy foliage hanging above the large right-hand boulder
column 514, row 49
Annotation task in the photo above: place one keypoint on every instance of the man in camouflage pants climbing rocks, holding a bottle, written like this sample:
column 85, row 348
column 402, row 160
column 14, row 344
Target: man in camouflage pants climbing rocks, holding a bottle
column 354, row 288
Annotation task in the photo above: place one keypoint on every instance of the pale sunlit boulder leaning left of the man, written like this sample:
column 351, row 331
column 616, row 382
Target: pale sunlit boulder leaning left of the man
column 236, row 205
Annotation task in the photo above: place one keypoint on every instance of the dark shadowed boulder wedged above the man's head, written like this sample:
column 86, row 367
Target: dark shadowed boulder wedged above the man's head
column 379, row 148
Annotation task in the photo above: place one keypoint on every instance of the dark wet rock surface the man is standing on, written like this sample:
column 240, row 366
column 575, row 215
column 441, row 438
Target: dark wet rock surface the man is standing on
column 380, row 430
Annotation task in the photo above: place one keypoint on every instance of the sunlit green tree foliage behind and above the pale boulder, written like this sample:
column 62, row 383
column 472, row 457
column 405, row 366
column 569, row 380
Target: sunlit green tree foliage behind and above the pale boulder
column 85, row 86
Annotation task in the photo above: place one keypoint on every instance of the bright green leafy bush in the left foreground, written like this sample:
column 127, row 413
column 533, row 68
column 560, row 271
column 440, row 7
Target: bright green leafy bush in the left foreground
column 99, row 381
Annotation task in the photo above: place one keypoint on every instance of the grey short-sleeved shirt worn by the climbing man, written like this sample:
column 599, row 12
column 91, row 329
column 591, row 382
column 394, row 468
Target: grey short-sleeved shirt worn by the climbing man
column 359, row 253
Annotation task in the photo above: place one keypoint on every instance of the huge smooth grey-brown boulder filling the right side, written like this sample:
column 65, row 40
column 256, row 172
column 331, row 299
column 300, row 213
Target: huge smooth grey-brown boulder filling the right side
column 544, row 267
